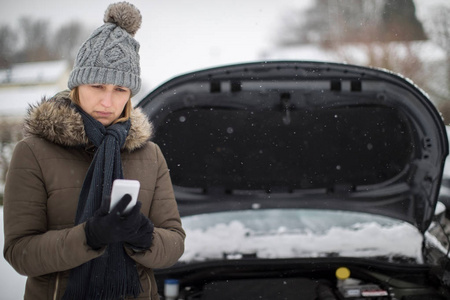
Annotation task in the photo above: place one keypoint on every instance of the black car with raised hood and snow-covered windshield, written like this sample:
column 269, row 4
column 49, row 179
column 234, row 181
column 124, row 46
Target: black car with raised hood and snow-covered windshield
column 303, row 180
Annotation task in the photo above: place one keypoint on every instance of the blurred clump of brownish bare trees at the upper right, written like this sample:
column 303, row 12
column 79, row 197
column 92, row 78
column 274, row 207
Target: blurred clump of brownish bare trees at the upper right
column 342, row 21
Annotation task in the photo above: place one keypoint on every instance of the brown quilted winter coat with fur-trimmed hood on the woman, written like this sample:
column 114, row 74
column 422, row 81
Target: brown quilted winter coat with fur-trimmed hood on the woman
column 43, row 184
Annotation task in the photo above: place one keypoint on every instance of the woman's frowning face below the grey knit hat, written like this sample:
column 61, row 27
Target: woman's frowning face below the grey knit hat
column 103, row 102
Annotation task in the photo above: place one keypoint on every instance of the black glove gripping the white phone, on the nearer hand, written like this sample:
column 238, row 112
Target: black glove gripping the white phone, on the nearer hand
column 106, row 228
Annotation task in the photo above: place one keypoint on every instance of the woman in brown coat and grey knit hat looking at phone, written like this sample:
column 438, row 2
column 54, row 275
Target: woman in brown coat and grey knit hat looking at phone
column 58, row 231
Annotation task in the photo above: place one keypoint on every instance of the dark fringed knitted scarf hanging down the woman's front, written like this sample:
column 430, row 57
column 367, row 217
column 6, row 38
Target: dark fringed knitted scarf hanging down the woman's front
column 112, row 275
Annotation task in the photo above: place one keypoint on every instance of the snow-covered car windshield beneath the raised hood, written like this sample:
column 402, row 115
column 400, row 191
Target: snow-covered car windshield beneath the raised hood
column 298, row 233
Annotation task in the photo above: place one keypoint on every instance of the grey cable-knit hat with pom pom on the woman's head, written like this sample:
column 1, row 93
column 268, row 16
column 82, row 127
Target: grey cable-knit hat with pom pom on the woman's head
column 110, row 55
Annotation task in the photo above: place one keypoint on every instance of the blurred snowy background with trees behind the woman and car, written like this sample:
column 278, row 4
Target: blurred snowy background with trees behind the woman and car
column 39, row 41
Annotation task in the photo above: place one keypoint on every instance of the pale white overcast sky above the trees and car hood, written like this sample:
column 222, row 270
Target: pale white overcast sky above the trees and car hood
column 179, row 36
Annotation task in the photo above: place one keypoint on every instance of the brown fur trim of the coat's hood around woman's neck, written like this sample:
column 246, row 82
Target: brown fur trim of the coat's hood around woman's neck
column 57, row 121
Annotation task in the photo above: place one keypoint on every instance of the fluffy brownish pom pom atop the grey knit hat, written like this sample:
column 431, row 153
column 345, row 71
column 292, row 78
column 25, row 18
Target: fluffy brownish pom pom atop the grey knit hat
column 125, row 15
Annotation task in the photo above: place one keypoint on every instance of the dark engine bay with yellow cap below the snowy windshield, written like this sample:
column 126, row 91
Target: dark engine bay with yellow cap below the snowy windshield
column 314, row 280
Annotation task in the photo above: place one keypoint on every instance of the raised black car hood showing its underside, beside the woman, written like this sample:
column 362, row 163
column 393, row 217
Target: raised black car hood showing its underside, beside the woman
column 300, row 134
